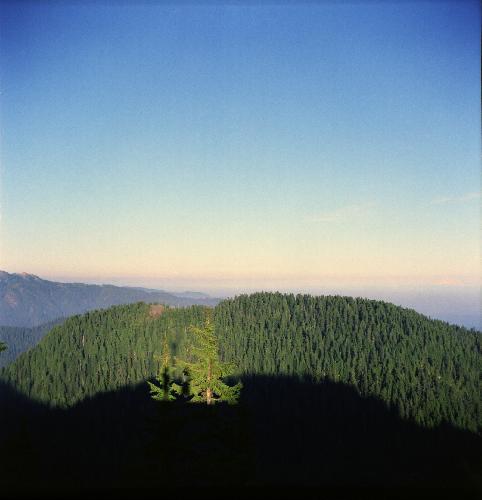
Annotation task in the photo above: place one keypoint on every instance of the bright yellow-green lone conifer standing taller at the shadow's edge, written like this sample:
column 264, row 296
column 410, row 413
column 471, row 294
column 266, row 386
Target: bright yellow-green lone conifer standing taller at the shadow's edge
column 205, row 372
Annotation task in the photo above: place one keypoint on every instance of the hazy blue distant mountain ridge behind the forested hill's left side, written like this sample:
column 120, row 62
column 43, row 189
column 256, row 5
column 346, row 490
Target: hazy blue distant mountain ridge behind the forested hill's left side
column 27, row 300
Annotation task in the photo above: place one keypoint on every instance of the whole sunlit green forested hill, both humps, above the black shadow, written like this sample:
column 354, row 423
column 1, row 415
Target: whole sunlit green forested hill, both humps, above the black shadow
column 426, row 369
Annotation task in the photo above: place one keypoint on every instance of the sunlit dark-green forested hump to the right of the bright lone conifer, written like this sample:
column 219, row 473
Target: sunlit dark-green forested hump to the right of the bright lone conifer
column 427, row 369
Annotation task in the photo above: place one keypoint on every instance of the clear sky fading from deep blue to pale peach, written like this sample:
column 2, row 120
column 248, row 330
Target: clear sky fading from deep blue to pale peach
column 241, row 146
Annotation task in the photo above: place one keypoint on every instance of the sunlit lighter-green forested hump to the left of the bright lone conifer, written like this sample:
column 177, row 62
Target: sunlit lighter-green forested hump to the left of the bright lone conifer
column 99, row 351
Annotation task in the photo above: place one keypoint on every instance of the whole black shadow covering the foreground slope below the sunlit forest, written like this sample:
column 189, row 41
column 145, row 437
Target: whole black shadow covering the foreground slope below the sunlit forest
column 285, row 431
